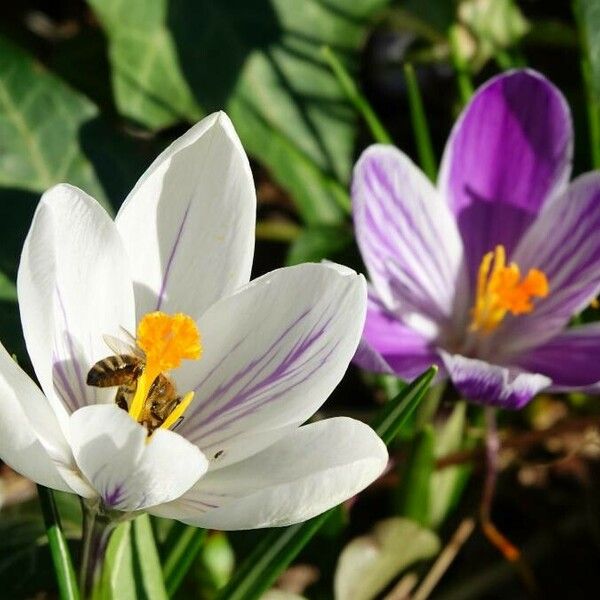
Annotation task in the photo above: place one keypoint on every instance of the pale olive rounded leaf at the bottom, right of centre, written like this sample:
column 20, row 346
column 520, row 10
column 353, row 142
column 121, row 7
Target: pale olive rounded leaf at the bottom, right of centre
column 369, row 563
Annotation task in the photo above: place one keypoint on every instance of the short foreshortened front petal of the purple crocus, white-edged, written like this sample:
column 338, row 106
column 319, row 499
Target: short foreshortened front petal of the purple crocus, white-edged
column 505, row 387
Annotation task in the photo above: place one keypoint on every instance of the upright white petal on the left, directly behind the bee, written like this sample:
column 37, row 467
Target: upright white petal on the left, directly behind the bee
column 73, row 287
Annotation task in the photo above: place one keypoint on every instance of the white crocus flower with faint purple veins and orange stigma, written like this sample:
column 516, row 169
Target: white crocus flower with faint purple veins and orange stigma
column 260, row 357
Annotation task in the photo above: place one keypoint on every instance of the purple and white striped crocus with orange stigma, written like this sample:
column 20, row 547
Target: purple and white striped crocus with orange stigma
column 481, row 274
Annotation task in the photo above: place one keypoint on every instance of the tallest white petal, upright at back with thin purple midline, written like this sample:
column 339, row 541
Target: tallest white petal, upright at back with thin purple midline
column 188, row 224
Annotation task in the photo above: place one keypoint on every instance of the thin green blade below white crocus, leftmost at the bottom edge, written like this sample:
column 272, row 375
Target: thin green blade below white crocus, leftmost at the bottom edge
column 63, row 566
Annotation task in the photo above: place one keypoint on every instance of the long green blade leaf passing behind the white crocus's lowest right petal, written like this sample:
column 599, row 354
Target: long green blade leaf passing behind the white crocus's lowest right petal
column 278, row 547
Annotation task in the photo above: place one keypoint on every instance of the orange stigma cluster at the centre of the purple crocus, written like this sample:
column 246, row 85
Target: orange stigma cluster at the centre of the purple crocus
column 500, row 290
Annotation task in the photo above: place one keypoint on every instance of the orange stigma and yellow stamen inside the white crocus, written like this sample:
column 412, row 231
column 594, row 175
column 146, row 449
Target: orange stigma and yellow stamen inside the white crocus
column 165, row 340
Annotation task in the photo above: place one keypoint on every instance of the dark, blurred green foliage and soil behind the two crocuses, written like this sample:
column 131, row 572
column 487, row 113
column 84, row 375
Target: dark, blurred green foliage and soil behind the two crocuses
column 91, row 92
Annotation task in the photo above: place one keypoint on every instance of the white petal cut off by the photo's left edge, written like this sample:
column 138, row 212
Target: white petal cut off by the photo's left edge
column 30, row 436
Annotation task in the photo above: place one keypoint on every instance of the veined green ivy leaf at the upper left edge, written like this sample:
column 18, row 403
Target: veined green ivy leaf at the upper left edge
column 40, row 122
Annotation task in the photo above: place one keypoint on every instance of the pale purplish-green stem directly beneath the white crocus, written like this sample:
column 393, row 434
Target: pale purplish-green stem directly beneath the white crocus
column 97, row 529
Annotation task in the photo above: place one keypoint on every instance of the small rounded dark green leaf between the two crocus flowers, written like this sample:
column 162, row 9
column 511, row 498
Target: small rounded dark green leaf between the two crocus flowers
column 319, row 242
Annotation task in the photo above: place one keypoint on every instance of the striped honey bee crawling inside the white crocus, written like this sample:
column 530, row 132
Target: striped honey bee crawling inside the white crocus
column 123, row 369
